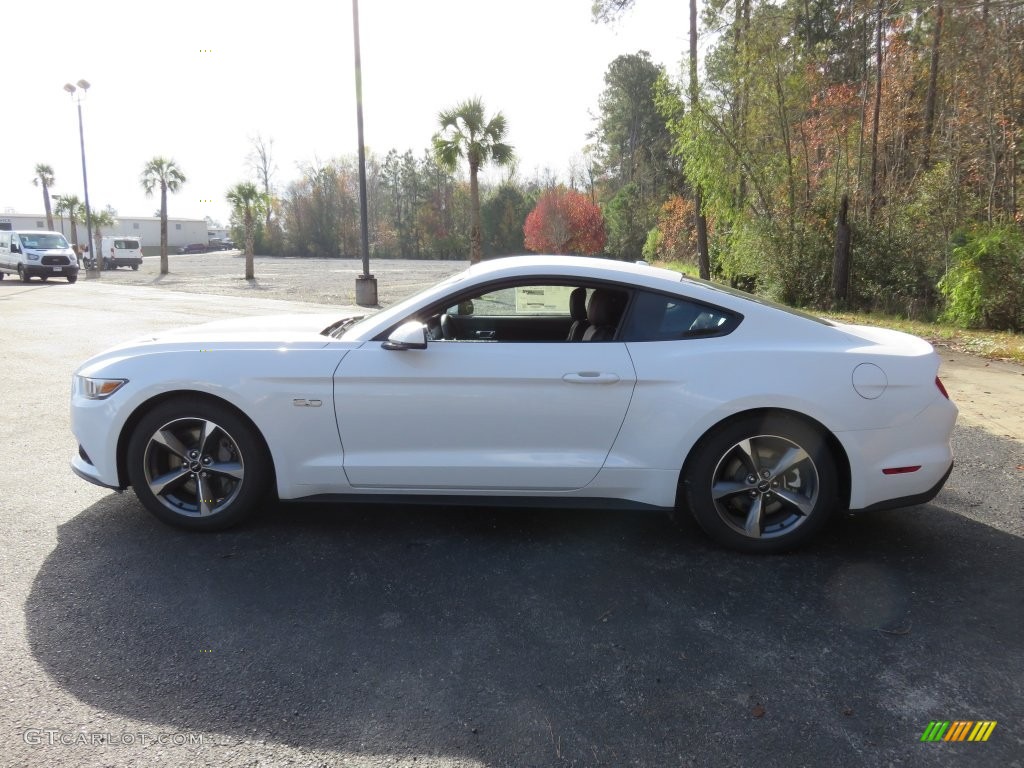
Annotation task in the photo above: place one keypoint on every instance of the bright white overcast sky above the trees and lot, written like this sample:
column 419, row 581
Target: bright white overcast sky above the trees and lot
column 196, row 81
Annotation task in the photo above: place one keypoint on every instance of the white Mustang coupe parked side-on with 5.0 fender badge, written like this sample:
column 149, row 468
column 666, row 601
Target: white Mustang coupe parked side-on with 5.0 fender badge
column 554, row 381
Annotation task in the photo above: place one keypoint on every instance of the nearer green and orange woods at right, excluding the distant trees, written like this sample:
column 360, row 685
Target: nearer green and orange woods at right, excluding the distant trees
column 860, row 153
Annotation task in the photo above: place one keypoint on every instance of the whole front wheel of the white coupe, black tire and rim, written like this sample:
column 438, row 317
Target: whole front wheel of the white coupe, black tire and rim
column 225, row 460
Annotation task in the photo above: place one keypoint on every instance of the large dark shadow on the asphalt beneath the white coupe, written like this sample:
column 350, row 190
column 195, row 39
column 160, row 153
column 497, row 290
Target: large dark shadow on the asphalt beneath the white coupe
column 534, row 637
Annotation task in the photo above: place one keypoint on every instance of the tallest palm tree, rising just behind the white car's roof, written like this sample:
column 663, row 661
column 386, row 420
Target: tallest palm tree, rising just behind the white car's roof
column 466, row 134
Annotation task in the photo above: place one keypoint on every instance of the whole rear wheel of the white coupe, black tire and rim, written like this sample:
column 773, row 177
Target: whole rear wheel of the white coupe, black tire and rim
column 761, row 485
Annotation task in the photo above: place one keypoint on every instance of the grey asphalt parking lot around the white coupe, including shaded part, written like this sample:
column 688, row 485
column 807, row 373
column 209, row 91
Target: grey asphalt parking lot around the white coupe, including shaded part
column 378, row 636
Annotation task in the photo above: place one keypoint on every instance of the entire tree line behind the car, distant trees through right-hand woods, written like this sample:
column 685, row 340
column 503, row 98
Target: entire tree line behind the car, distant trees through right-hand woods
column 862, row 154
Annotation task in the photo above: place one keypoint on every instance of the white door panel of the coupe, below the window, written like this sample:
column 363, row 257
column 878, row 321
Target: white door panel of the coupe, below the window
column 484, row 416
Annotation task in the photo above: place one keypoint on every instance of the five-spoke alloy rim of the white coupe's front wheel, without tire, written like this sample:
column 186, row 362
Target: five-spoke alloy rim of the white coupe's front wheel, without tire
column 194, row 467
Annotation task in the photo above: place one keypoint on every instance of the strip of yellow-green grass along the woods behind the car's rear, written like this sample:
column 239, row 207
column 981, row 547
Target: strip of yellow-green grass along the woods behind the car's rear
column 1001, row 346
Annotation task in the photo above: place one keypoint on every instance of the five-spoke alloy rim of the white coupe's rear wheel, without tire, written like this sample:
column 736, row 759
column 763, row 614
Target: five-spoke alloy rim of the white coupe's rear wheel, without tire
column 765, row 487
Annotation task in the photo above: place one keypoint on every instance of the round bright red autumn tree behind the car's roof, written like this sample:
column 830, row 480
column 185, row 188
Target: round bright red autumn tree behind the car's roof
column 566, row 223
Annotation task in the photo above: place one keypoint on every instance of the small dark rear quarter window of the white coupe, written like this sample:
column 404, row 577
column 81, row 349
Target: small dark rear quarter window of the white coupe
column 660, row 318
